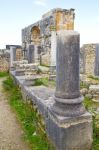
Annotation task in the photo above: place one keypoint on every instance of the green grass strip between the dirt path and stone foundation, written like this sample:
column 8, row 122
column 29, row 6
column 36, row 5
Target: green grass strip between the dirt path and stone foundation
column 28, row 117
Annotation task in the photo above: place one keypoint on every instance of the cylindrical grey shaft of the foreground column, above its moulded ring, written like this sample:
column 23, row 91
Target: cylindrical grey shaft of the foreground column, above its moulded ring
column 67, row 68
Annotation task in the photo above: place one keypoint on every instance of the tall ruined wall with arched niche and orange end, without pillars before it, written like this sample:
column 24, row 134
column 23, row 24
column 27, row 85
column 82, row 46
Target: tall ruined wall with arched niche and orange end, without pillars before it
column 40, row 33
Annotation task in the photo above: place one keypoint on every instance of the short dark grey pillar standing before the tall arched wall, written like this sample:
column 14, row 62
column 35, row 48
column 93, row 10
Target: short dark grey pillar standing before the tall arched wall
column 31, row 54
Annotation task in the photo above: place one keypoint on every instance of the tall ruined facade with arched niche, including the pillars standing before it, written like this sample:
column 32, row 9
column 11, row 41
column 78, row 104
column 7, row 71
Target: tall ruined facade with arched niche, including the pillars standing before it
column 39, row 39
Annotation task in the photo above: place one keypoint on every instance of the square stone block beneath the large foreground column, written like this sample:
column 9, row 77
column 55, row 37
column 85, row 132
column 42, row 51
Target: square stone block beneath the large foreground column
column 70, row 133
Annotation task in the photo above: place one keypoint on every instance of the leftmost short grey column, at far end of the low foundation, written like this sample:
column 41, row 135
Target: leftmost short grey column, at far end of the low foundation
column 12, row 55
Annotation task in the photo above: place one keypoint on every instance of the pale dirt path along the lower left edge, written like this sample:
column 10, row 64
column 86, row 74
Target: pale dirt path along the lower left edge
column 10, row 130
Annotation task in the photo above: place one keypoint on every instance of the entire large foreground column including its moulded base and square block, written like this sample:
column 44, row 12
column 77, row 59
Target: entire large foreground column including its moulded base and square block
column 69, row 125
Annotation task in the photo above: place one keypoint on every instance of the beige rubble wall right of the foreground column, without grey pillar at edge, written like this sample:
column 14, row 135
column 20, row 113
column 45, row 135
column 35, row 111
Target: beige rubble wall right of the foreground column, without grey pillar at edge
column 88, row 54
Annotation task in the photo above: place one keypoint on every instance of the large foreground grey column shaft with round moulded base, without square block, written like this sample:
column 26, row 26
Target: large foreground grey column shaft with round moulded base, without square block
column 68, row 101
